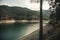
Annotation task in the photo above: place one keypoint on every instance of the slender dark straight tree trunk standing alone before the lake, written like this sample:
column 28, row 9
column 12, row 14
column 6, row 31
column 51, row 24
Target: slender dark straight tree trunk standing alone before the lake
column 41, row 18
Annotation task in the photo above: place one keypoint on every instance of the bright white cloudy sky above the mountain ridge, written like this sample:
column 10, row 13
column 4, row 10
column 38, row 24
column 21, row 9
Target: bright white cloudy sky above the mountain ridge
column 25, row 3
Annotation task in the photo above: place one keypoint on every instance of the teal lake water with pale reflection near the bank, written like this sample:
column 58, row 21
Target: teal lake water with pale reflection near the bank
column 16, row 30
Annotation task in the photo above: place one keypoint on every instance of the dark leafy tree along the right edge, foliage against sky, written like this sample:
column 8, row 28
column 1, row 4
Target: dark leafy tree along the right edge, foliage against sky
column 55, row 11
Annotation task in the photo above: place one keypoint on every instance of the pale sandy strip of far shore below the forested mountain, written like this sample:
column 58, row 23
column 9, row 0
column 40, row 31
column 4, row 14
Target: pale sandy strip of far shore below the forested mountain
column 21, row 21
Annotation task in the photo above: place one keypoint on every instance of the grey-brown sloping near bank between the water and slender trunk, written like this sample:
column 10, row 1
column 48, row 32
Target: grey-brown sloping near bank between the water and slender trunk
column 35, row 32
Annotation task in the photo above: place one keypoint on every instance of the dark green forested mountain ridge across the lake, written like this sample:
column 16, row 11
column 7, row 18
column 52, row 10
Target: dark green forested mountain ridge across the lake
column 19, row 13
